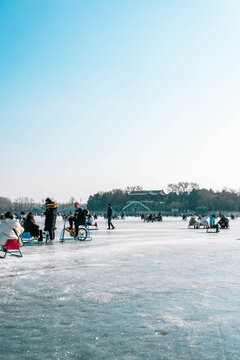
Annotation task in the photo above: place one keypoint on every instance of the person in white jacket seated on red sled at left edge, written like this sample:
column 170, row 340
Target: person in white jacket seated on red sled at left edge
column 8, row 227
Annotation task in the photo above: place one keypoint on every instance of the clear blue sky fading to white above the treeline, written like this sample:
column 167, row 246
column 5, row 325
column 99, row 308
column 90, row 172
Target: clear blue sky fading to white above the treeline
column 103, row 94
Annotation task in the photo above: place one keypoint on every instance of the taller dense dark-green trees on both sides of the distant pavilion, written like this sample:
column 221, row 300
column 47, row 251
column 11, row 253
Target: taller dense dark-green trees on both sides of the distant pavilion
column 182, row 196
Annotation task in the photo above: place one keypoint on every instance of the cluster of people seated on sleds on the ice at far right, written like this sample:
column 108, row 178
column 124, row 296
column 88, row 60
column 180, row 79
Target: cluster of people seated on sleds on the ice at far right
column 209, row 222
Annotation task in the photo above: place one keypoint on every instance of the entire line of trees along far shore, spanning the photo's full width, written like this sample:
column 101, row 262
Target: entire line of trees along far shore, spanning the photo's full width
column 182, row 196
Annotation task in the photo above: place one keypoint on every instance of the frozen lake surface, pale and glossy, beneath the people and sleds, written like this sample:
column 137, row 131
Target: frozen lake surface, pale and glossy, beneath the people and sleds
column 142, row 291
